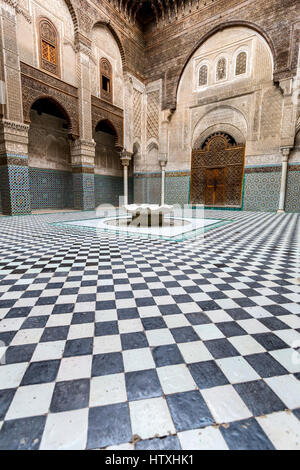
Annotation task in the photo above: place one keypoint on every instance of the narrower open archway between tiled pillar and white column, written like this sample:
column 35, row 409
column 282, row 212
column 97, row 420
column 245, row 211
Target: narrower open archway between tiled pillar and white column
column 108, row 169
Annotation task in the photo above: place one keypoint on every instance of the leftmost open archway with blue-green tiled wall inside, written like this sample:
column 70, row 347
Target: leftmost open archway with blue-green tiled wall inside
column 50, row 171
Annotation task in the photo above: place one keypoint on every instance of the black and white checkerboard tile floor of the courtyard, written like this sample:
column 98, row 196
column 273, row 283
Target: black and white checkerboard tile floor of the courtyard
column 132, row 343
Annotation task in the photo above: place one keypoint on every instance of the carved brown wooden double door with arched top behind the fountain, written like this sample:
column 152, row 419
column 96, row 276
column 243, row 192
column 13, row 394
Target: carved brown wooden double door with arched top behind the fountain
column 217, row 172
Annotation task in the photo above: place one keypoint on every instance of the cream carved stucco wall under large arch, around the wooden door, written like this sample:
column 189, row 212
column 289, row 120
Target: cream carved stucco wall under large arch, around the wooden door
column 247, row 106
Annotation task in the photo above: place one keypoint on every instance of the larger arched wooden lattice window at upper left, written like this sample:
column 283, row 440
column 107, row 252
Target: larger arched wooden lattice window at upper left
column 48, row 46
